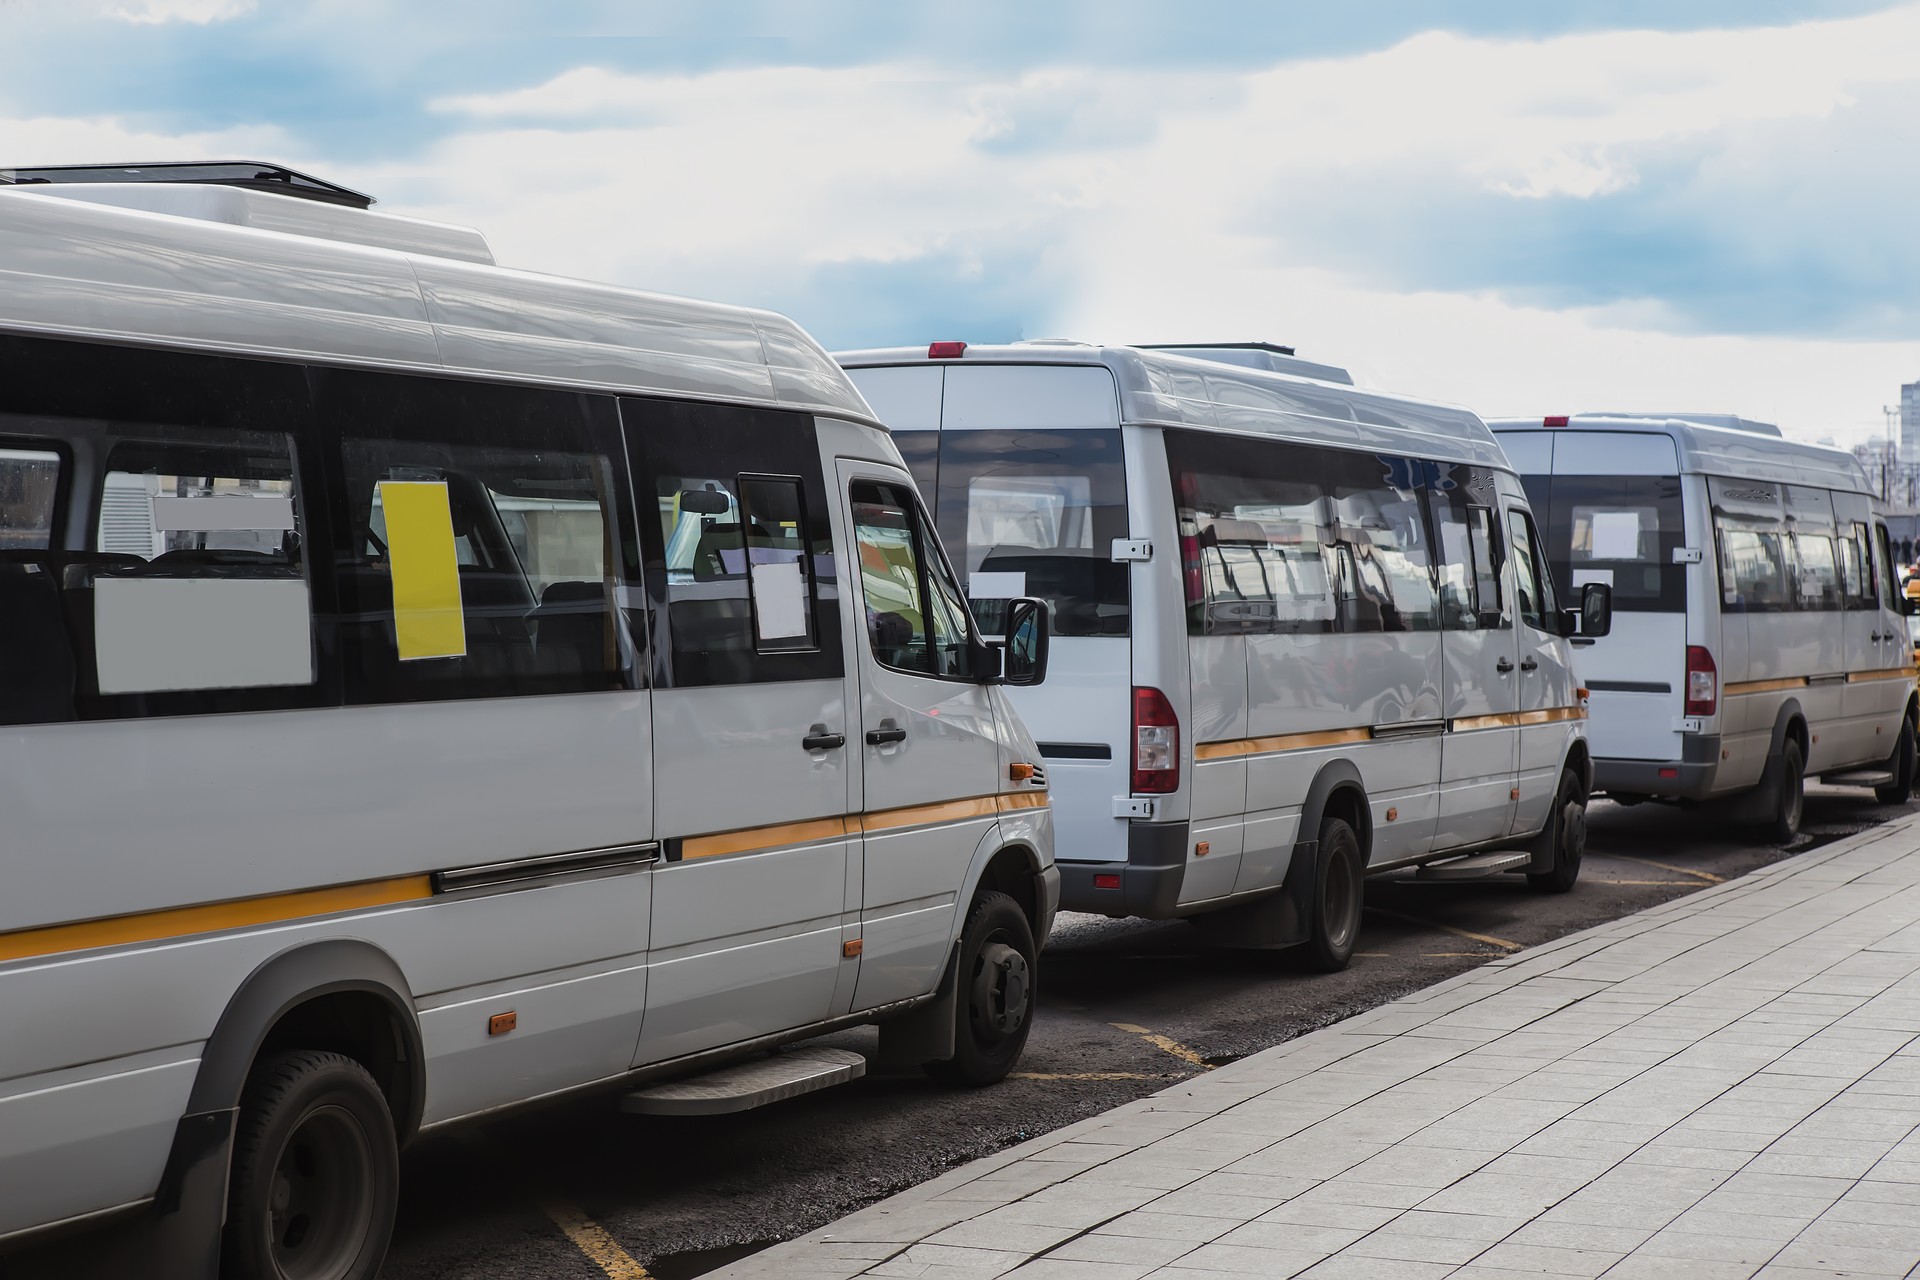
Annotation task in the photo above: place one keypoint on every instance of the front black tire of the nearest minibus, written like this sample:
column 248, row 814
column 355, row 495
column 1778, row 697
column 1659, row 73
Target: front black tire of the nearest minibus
column 994, row 1007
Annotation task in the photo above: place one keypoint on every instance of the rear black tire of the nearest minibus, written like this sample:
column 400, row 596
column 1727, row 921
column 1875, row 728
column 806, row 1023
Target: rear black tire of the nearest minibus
column 316, row 1173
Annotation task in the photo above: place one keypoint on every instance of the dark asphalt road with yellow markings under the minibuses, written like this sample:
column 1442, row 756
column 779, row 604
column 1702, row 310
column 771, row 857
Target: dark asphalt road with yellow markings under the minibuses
column 585, row 1193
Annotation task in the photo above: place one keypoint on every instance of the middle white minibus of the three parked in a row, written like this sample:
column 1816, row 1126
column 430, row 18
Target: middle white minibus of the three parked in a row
column 1301, row 632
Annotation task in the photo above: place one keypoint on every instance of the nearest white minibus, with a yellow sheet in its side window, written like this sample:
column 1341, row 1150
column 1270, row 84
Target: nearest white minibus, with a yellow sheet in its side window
column 429, row 688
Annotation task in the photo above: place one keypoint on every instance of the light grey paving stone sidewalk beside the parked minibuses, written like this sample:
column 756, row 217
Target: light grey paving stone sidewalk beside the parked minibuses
column 1727, row 1085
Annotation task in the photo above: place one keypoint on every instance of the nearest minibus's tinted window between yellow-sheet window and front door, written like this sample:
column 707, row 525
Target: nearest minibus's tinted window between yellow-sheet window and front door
column 740, row 548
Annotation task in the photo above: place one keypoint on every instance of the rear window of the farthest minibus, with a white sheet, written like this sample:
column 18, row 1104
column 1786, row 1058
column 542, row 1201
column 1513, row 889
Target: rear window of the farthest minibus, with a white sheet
column 1618, row 531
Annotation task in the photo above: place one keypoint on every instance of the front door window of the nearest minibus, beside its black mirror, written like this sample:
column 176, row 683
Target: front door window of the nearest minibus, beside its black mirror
column 915, row 615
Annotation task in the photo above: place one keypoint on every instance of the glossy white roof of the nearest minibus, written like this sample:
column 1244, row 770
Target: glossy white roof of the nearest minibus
column 254, row 273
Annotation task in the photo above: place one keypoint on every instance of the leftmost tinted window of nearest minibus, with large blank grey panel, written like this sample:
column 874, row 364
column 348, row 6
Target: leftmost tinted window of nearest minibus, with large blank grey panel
column 183, row 582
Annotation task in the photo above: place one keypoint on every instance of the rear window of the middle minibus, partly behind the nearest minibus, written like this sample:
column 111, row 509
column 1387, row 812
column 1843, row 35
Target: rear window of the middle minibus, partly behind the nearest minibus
column 1032, row 513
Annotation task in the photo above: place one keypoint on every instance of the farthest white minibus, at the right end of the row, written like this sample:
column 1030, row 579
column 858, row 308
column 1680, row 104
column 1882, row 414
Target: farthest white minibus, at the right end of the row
column 1760, row 632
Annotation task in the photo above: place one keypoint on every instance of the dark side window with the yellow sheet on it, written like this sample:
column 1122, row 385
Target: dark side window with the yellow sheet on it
column 481, row 540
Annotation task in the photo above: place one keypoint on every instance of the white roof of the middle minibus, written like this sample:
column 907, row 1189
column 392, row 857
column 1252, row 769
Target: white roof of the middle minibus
column 1178, row 391
